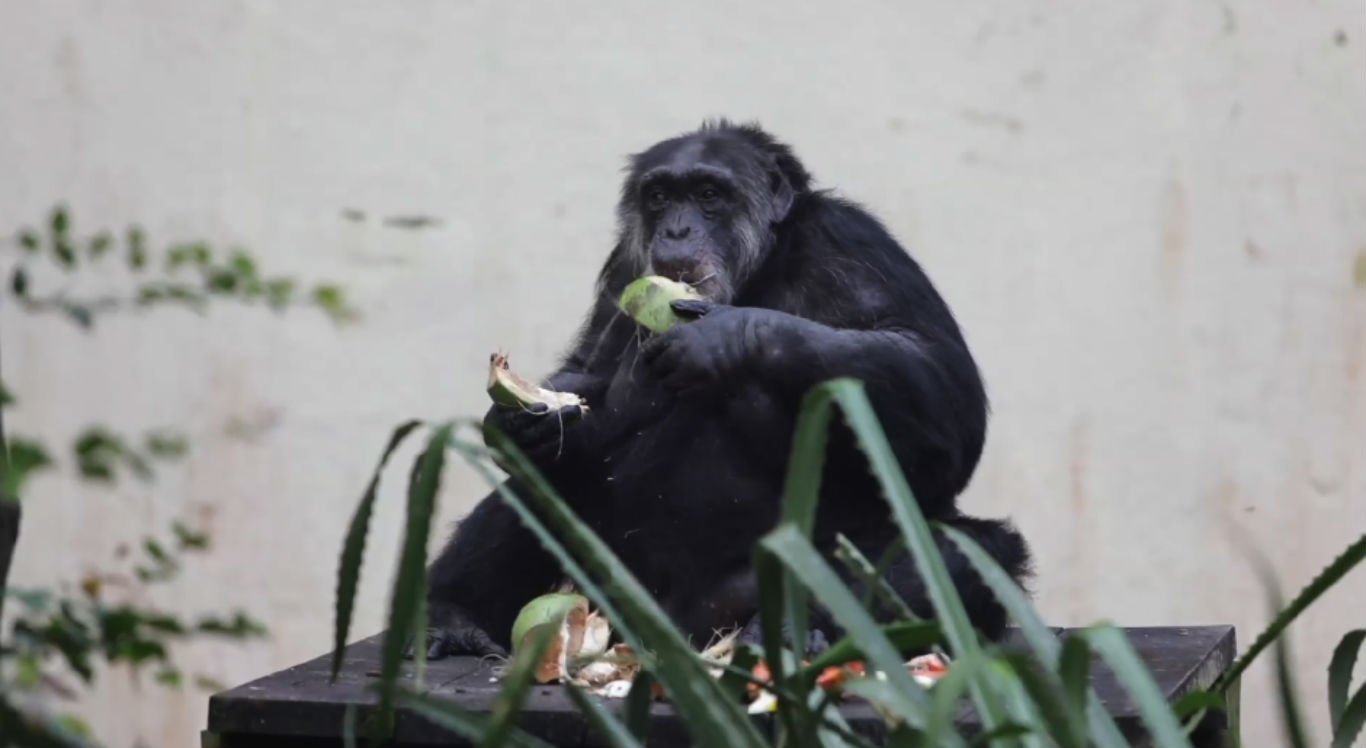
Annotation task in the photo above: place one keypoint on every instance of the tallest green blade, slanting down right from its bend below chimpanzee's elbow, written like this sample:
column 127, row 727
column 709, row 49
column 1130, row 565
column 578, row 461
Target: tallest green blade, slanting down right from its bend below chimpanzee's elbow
column 906, row 511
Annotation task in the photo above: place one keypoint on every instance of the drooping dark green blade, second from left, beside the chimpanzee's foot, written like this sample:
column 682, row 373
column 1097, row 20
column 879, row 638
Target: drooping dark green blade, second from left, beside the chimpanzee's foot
column 410, row 581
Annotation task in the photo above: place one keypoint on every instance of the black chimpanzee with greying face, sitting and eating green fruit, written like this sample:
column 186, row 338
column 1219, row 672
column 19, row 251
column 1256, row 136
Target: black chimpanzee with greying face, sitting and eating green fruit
column 681, row 459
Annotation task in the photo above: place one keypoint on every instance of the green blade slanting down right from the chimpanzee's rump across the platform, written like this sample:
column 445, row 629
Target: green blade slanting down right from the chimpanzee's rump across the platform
column 1040, row 638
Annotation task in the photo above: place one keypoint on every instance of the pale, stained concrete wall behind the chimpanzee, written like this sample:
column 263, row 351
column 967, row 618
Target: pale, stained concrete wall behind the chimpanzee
column 1147, row 216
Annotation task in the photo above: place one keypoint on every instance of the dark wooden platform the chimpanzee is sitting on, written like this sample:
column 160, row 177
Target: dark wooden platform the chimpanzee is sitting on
column 298, row 708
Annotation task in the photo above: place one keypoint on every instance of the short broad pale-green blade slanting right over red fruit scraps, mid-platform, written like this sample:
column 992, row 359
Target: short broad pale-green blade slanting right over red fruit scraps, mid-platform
column 797, row 553
